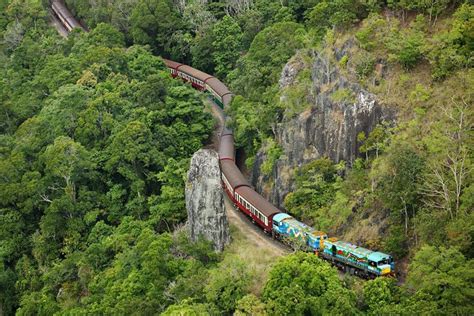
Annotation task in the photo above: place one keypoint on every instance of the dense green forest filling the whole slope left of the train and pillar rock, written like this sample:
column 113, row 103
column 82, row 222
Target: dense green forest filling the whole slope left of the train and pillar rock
column 95, row 144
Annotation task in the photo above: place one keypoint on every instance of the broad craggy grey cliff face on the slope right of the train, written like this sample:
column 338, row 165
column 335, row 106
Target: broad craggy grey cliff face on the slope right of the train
column 339, row 110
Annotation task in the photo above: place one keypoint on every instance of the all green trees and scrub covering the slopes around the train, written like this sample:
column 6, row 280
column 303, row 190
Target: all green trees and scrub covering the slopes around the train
column 96, row 138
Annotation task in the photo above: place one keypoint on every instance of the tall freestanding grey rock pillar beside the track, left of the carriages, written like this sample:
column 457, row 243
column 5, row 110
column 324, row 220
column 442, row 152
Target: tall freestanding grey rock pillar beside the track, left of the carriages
column 205, row 200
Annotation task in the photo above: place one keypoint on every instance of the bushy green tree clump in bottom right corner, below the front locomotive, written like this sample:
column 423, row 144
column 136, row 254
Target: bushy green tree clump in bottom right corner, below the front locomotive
column 438, row 283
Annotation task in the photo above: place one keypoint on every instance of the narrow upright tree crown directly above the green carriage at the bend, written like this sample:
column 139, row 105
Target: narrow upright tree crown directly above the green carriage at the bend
column 226, row 44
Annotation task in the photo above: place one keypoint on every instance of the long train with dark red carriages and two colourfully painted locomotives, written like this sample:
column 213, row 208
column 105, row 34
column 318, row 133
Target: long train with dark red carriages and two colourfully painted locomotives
column 346, row 256
